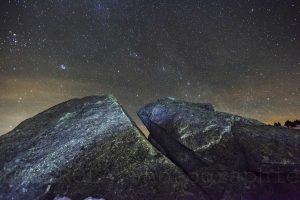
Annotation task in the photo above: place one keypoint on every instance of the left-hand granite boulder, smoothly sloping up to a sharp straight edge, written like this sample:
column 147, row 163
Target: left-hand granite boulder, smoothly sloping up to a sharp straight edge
column 87, row 148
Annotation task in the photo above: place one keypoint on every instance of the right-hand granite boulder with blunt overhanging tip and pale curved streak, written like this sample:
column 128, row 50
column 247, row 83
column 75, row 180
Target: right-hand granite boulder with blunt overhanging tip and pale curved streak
column 228, row 156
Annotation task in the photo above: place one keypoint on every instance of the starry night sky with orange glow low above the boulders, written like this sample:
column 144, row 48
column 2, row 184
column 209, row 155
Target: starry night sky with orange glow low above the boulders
column 241, row 55
